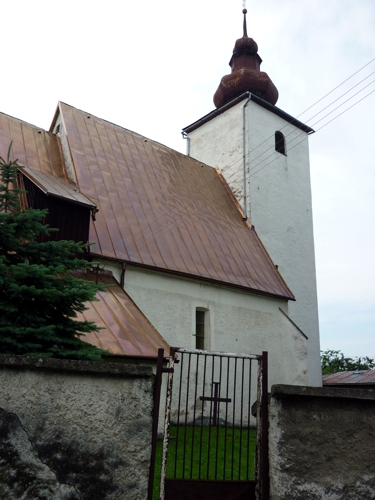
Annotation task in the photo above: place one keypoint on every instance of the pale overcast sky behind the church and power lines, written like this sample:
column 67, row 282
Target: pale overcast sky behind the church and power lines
column 153, row 67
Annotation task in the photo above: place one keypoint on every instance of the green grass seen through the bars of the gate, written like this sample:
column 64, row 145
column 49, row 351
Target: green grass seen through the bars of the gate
column 224, row 454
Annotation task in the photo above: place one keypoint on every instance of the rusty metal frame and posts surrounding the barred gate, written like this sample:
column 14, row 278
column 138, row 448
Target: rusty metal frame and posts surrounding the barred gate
column 261, row 460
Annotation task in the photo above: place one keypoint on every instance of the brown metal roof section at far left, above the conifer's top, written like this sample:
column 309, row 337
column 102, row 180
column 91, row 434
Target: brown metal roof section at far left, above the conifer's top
column 32, row 146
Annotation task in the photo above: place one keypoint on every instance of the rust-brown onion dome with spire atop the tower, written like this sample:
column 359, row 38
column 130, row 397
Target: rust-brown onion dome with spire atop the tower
column 246, row 75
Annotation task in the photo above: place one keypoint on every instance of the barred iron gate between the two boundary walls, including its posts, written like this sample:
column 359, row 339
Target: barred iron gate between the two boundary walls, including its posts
column 213, row 447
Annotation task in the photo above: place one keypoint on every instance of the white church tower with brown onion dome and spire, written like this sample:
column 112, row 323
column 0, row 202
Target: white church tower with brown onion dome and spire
column 264, row 156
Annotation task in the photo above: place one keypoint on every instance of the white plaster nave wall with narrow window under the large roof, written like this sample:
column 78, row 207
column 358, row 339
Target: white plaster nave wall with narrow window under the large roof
column 238, row 322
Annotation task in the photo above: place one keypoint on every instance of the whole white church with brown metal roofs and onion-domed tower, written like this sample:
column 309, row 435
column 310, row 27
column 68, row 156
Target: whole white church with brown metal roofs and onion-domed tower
column 211, row 250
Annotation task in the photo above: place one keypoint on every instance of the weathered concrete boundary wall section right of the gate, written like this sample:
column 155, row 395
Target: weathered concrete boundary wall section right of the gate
column 322, row 443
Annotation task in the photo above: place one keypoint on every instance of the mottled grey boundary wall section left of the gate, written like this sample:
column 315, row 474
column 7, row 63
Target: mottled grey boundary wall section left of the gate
column 74, row 430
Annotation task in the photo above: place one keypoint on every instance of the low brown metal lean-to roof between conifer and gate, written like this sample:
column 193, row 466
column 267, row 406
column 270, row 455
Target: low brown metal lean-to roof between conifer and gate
column 126, row 331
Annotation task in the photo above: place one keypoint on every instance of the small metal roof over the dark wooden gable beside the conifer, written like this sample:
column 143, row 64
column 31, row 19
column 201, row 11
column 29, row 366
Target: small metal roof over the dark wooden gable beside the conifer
column 52, row 186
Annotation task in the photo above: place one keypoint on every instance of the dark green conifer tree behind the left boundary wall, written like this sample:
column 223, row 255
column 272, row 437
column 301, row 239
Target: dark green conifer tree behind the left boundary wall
column 39, row 297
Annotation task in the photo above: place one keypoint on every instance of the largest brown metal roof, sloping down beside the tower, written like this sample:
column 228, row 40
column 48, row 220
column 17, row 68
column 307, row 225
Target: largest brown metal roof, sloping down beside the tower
column 162, row 209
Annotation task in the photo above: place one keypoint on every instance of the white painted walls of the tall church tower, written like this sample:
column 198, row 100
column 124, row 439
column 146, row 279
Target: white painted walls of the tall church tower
column 278, row 200
